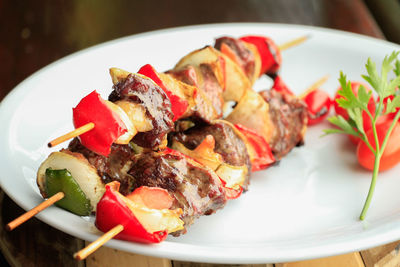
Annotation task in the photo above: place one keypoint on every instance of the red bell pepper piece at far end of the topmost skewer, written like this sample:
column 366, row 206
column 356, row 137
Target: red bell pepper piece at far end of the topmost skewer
column 269, row 53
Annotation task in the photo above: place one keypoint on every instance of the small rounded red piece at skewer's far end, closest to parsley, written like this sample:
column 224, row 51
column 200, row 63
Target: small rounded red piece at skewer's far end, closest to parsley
column 318, row 104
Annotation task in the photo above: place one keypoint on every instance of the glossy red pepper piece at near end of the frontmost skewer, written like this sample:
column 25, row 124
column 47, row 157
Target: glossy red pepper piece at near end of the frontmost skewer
column 112, row 210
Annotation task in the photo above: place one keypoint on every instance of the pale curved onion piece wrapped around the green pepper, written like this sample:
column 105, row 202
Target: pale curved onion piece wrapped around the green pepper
column 81, row 170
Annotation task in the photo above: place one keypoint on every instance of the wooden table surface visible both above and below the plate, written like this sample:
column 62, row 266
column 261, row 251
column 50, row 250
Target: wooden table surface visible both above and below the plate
column 36, row 33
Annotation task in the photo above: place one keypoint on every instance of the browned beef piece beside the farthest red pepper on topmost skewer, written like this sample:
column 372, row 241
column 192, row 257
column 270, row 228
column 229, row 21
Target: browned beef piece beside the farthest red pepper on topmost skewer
column 244, row 55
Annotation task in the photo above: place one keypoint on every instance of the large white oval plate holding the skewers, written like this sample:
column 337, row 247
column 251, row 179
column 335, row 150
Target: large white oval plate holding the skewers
column 306, row 207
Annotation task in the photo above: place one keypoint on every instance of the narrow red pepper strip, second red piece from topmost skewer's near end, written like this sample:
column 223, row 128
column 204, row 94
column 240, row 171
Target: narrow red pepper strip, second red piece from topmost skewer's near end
column 178, row 105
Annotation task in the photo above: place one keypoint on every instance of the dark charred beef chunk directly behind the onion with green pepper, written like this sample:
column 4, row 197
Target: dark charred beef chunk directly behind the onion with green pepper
column 115, row 167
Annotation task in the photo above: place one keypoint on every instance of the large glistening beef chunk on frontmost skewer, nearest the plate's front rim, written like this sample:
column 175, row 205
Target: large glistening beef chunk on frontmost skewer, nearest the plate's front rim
column 197, row 190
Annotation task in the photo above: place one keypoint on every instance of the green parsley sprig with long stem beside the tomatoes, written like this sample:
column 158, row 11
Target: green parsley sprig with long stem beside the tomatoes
column 355, row 105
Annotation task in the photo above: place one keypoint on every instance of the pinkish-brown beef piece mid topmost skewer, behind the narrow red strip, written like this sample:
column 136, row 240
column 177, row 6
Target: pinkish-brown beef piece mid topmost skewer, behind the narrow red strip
column 203, row 78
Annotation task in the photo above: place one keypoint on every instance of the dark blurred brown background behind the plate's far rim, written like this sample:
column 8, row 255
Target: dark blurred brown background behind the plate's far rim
column 35, row 33
